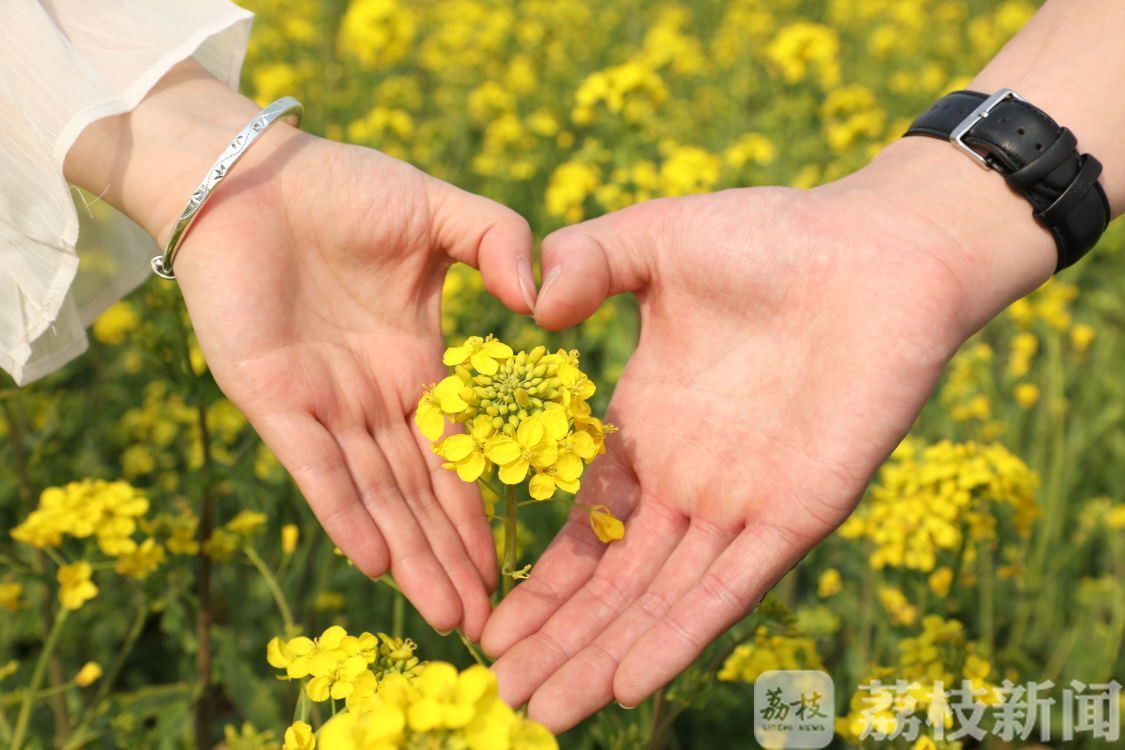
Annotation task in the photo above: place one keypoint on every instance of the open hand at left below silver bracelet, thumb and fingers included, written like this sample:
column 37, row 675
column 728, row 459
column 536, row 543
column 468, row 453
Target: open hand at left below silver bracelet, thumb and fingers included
column 317, row 301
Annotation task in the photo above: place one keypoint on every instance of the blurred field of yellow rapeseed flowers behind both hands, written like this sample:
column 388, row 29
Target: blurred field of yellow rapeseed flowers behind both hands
column 157, row 547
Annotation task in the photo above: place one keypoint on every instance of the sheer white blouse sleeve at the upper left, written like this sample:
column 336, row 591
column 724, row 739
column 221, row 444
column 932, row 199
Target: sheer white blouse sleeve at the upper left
column 64, row 65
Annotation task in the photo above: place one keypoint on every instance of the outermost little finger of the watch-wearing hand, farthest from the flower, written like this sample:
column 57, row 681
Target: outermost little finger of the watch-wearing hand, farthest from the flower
column 758, row 558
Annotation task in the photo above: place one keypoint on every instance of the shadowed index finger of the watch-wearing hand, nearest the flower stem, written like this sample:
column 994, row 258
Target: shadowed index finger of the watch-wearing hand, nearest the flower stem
column 566, row 565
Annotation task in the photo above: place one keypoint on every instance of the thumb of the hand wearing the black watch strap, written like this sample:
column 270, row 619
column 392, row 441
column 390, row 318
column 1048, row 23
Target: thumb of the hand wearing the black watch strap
column 587, row 264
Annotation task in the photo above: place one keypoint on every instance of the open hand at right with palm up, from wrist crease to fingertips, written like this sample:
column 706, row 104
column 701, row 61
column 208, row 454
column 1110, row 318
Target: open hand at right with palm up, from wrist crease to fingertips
column 759, row 403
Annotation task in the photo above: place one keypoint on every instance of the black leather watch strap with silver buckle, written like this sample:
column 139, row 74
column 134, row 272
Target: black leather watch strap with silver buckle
column 1039, row 160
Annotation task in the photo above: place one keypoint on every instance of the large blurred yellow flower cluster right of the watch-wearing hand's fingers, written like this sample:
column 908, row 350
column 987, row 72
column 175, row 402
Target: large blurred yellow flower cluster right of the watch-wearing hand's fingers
column 931, row 499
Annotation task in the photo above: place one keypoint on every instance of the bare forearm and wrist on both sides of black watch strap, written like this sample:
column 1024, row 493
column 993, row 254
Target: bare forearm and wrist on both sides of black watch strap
column 1068, row 62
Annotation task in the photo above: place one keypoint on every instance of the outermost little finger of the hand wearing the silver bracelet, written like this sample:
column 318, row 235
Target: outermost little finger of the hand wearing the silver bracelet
column 313, row 458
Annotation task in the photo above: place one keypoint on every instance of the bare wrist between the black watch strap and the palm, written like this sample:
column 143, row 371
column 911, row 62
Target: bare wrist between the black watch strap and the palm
column 967, row 216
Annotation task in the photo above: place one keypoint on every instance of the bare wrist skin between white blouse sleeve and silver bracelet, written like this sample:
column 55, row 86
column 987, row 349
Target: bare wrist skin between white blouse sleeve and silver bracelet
column 147, row 162
